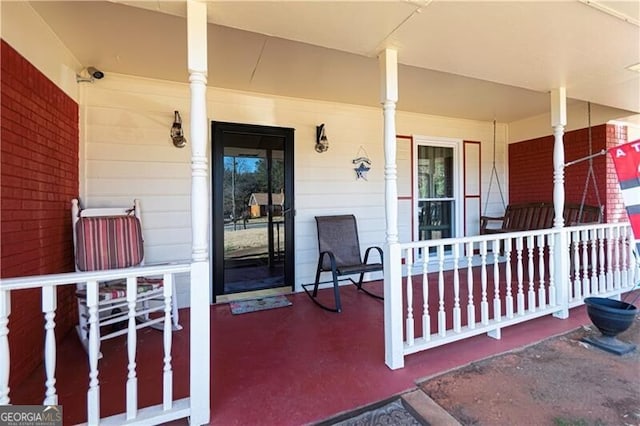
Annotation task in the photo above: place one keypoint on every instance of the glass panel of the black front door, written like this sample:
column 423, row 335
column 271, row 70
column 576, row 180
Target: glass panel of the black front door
column 254, row 232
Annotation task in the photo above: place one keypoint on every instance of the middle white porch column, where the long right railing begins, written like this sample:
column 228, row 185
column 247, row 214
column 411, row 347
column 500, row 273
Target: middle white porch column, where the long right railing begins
column 388, row 62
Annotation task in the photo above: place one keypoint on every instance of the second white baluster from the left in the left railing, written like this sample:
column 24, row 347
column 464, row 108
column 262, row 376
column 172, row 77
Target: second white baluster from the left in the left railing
column 49, row 305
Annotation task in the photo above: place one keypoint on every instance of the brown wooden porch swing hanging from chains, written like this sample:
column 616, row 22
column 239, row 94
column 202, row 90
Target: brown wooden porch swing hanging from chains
column 539, row 215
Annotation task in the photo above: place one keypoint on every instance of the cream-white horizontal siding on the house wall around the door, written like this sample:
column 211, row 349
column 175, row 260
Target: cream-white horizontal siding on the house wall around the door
column 126, row 153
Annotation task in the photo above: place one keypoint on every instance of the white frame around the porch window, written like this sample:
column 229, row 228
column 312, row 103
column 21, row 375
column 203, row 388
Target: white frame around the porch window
column 458, row 201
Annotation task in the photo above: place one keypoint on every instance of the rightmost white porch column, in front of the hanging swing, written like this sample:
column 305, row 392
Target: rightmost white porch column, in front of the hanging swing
column 561, row 275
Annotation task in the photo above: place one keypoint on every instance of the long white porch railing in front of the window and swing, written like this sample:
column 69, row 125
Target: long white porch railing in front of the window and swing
column 473, row 285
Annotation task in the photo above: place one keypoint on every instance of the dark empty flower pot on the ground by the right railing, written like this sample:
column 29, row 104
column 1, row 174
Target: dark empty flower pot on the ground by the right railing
column 611, row 317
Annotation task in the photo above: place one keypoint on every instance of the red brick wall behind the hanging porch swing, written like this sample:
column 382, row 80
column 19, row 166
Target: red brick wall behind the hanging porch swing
column 531, row 168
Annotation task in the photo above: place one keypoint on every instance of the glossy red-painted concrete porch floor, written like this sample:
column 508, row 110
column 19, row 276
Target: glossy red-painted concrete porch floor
column 288, row 366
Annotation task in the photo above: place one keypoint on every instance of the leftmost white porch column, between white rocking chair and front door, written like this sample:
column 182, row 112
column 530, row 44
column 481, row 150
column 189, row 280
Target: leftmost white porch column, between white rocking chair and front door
column 200, row 356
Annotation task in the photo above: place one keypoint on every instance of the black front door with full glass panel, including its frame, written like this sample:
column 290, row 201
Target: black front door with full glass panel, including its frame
column 252, row 207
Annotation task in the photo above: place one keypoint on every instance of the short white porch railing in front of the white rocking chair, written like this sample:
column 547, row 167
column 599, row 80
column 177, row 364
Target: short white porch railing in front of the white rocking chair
column 168, row 410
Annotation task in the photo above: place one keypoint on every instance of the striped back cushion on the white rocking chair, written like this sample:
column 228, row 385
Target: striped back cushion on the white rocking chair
column 108, row 243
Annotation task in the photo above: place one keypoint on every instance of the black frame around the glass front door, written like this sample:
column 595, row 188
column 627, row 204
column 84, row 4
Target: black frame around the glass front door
column 218, row 131
